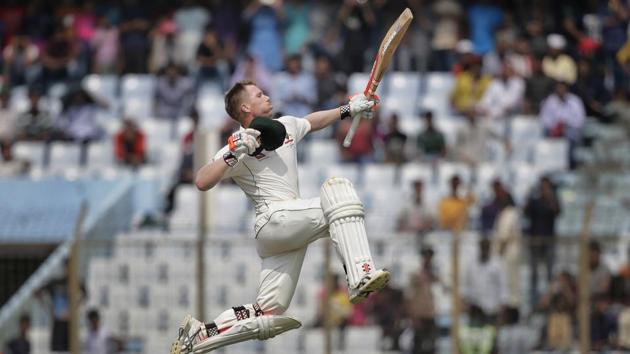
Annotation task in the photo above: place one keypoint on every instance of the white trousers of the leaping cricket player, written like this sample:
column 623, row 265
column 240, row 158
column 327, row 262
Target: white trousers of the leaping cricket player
column 283, row 233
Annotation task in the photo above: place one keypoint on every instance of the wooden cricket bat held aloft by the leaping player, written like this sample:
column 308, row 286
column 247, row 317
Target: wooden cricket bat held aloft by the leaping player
column 381, row 62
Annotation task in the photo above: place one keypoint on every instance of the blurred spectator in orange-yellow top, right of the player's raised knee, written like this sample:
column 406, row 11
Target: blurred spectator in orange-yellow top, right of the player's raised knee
column 453, row 209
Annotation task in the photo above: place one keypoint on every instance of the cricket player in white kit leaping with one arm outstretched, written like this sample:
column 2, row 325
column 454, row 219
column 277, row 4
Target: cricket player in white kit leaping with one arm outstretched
column 262, row 159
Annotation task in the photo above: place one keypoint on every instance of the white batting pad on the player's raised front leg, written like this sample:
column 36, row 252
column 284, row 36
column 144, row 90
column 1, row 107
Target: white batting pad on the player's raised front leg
column 344, row 212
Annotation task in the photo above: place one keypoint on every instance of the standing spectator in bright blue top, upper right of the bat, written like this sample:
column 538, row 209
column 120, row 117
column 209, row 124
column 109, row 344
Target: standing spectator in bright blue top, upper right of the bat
column 484, row 18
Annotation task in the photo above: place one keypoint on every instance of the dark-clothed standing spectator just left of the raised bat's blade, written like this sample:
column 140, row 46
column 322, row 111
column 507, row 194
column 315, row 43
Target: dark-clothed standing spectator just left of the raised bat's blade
column 356, row 19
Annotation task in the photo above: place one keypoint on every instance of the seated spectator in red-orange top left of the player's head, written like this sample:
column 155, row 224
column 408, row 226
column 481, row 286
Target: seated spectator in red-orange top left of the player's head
column 129, row 144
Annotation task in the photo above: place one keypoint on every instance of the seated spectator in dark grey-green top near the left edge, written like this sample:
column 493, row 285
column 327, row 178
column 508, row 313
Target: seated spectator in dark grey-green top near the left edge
column 36, row 123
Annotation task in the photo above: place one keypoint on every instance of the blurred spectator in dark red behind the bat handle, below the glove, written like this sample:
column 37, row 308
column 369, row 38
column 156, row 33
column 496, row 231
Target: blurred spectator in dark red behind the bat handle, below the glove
column 362, row 148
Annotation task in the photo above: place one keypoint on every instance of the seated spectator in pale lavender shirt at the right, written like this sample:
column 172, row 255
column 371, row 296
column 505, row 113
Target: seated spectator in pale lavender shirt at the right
column 562, row 115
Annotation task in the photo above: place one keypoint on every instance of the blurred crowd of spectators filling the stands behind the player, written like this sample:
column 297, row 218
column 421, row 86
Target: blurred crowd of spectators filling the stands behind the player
column 556, row 61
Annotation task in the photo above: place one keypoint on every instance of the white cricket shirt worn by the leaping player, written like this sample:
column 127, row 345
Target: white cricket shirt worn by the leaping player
column 271, row 175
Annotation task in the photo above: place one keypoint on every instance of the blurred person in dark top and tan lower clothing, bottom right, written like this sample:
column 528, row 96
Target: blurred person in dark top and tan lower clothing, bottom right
column 560, row 304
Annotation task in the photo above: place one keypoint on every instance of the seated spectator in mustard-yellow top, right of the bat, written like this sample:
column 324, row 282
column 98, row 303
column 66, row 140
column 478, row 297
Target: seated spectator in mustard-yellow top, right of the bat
column 470, row 86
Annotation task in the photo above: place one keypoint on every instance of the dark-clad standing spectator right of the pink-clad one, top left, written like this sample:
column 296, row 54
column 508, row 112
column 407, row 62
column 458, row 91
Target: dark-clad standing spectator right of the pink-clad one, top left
column 134, row 41
